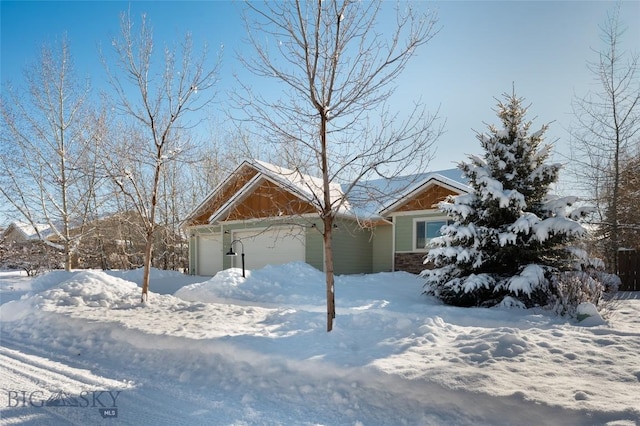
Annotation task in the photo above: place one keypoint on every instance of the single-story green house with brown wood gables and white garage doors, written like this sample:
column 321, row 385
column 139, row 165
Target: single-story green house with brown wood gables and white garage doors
column 269, row 213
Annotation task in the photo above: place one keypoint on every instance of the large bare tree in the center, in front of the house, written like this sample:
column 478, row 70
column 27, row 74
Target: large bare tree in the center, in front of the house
column 336, row 72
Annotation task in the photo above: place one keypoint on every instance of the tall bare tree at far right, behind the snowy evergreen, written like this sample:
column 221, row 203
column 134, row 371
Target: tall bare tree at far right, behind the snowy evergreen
column 607, row 122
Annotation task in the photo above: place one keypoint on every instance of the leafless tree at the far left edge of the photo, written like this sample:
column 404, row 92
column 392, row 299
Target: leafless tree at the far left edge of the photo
column 47, row 158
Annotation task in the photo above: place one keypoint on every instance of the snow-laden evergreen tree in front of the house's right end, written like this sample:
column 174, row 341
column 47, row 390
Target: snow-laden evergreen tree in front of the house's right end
column 508, row 237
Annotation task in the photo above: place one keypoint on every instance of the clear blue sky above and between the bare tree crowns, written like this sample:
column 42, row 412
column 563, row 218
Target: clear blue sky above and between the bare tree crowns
column 482, row 49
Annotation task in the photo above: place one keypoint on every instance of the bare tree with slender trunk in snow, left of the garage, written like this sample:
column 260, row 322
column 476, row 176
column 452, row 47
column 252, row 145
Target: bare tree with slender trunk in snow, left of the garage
column 155, row 100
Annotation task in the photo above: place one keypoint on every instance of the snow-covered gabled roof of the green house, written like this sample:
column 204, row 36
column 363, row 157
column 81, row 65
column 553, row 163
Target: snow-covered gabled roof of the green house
column 373, row 199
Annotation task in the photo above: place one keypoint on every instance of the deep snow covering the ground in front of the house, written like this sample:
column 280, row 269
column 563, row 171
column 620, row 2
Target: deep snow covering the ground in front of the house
column 79, row 348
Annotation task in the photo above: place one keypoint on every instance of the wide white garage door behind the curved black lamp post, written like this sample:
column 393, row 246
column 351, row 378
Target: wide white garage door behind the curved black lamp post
column 269, row 247
